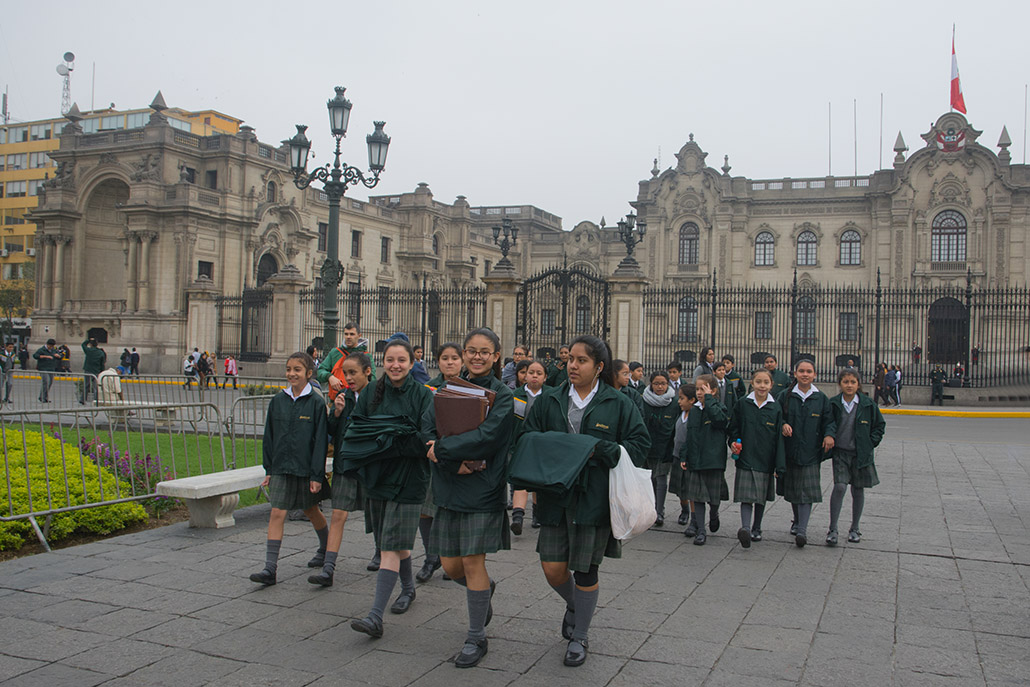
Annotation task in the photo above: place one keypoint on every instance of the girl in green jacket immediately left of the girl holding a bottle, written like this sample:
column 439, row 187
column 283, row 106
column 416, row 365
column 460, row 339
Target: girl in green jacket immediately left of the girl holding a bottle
column 705, row 455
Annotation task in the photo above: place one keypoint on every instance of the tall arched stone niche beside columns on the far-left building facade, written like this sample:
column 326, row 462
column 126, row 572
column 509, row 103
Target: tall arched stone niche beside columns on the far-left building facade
column 104, row 264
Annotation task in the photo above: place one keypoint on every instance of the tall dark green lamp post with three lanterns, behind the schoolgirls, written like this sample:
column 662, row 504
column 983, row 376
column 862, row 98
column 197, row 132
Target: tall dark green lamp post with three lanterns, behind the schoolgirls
column 335, row 181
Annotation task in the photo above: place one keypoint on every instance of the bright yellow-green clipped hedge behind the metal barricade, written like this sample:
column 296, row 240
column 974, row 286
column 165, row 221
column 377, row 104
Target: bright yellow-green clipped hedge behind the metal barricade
column 63, row 461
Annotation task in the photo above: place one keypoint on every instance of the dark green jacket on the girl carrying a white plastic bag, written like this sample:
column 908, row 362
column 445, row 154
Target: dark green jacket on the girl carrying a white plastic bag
column 612, row 419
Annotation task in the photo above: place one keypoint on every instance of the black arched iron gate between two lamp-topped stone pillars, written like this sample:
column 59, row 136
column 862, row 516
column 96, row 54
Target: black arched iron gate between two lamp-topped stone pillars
column 560, row 304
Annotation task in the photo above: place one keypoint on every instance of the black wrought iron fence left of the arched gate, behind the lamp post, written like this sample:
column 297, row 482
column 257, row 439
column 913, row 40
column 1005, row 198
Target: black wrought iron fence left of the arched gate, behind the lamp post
column 430, row 317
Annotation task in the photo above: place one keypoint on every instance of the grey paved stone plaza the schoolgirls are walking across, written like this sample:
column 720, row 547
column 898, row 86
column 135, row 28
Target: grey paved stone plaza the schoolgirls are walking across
column 938, row 594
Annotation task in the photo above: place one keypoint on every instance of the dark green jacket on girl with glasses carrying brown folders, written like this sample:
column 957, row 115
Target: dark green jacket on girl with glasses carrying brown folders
column 482, row 492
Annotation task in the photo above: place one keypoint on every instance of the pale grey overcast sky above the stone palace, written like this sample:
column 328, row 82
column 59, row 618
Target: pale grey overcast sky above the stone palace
column 563, row 106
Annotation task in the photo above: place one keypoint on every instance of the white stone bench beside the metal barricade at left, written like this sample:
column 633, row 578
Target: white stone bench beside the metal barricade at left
column 213, row 499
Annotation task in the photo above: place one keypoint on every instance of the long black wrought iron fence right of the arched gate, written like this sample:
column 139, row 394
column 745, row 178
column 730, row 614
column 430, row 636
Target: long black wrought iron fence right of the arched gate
column 984, row 333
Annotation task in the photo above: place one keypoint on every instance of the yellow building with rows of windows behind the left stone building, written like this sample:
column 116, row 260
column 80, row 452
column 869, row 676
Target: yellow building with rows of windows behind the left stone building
column 25, row 164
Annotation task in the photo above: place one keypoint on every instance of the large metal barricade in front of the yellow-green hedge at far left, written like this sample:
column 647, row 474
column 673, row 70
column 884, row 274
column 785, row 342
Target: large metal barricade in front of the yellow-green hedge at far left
column 63, row 460
